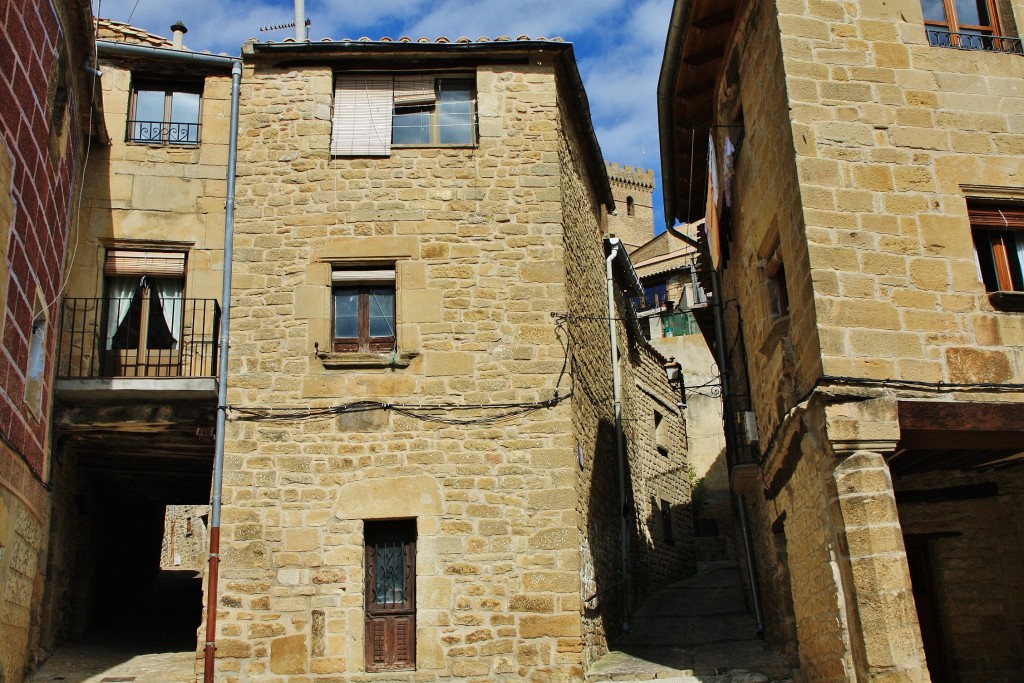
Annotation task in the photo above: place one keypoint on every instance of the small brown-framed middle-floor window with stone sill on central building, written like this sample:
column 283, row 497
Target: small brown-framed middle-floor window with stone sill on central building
column 364, row 311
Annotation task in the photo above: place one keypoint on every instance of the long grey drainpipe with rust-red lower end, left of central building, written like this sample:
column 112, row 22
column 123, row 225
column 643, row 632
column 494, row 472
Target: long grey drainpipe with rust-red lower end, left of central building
column 210, row 647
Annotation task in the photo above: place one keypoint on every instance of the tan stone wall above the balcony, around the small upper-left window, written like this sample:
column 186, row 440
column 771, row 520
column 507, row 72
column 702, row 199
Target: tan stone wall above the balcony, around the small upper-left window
column 165, row 197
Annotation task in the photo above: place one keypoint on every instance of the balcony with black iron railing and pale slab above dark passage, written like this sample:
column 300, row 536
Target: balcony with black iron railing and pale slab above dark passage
column 140, row 348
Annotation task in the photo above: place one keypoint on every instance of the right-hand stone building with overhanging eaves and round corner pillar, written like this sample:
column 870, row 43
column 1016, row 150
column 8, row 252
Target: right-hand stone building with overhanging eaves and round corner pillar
column 860, row 169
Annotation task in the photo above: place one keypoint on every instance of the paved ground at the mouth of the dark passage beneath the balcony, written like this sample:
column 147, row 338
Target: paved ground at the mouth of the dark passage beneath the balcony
column 96, row 663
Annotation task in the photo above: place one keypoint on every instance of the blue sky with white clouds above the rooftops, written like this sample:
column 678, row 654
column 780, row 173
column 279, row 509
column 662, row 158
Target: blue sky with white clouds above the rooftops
column 619, row 45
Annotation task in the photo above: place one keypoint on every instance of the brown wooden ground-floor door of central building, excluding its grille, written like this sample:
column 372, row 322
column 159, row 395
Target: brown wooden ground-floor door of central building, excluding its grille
column 391, row 628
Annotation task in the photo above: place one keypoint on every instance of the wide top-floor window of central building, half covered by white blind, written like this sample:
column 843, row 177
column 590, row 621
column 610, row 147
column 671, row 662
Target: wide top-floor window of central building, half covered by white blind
column 372, row 113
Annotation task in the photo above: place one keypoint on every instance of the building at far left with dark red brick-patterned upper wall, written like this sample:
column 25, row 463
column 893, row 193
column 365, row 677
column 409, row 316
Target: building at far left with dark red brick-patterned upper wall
column 47, row 110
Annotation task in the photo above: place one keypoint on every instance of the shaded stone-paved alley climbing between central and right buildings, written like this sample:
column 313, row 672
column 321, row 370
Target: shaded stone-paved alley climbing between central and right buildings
column 697, row 631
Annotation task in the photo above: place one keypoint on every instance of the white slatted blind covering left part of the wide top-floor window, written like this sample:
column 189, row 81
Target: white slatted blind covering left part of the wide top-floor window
column 363, row 108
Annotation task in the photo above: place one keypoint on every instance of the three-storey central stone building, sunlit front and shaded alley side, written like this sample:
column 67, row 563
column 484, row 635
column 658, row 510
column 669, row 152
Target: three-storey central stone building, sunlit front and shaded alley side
column 421, row 468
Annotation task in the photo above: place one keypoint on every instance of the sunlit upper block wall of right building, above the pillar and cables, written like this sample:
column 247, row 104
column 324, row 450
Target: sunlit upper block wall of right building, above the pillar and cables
column 891, row 136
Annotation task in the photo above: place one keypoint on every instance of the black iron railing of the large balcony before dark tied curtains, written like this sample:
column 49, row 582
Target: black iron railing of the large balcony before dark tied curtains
column 102, row 338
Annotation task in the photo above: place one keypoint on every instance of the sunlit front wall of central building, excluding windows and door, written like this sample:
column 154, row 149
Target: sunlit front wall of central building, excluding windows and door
column 477, row 235
